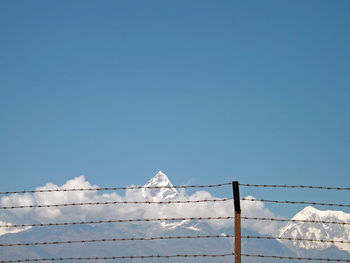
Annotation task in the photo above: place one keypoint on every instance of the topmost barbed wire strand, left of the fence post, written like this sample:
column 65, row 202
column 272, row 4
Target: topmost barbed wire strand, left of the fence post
column 113, row 188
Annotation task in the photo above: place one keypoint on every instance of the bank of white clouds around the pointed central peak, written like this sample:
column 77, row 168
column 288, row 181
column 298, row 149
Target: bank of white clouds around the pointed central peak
column 122, row 211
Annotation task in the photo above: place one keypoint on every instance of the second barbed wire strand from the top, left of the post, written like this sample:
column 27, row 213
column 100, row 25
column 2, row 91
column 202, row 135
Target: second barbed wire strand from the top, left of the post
column 118, row 202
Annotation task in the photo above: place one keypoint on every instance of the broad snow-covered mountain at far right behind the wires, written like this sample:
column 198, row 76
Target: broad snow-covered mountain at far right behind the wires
column 317, row 231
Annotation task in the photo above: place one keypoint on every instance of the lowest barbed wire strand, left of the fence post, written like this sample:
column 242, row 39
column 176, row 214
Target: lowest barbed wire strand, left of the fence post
column 119, row 257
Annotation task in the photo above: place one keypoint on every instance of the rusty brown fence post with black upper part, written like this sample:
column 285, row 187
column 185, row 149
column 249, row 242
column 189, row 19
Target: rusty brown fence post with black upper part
column 237, row 207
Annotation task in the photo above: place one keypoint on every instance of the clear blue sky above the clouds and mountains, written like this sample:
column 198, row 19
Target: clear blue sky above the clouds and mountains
column 206, row 91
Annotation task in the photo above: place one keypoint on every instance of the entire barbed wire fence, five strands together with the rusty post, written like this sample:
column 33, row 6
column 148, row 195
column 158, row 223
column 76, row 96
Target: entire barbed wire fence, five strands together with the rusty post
column 236, row 217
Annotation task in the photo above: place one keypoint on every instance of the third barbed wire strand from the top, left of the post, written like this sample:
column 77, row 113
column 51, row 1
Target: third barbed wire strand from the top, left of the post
column 117, row 221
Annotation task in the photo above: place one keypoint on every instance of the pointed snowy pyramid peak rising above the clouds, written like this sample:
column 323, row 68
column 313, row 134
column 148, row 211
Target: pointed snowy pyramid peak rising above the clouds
column 159, row 180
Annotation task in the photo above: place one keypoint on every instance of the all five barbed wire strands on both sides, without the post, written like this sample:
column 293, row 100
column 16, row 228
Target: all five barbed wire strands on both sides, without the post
column 170, row 219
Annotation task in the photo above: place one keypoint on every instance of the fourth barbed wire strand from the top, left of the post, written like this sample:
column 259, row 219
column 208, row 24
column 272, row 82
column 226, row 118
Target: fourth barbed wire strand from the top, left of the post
column 114, row 240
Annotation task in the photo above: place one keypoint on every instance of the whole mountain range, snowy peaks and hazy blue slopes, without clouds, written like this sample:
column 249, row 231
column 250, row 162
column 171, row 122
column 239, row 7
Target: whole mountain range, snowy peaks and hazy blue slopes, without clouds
column 182, row 246
